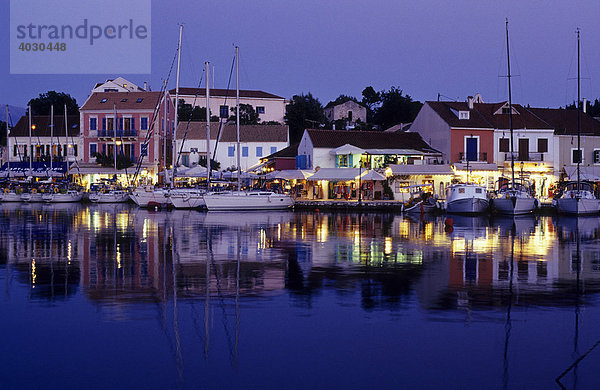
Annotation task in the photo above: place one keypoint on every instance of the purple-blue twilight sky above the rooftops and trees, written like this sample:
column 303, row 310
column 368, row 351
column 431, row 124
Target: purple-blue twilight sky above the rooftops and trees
column 326, row 47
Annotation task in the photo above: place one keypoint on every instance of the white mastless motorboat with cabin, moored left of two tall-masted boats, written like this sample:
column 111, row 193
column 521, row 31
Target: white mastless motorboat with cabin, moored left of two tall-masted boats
column 466, row 198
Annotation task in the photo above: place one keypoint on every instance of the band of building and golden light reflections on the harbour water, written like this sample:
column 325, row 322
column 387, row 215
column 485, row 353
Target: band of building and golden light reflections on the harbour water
column 118, row 254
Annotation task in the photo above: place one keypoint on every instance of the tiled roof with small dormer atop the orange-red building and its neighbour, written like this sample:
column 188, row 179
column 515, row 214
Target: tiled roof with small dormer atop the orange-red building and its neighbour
column 484, row 116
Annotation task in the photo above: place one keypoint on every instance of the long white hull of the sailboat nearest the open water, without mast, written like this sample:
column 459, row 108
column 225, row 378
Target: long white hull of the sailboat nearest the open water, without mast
column 247, row 201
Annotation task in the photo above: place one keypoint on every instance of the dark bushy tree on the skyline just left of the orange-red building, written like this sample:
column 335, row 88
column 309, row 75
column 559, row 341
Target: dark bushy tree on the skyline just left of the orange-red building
column 395, row 108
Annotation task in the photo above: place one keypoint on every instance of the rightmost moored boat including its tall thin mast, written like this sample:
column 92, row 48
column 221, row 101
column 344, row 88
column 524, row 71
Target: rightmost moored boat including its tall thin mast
column 578, row 197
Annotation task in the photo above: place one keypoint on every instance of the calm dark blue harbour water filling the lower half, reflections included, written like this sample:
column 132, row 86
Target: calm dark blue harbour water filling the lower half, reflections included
column 111, row 296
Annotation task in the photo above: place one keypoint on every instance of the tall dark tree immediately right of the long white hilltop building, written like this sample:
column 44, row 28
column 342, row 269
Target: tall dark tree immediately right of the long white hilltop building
column 304, row 111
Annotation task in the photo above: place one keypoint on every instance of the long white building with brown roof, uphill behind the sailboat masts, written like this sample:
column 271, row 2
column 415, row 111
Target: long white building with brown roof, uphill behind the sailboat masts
column 269, row 107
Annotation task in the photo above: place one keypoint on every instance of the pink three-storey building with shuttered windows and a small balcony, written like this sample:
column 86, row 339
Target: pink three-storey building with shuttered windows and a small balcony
column 141, row 120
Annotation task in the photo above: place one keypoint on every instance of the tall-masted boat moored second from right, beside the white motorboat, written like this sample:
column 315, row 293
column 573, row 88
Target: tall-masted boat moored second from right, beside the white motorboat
column 513, row 197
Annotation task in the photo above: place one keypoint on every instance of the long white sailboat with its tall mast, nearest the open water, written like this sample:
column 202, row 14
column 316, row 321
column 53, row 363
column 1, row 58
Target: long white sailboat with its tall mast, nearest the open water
column 244, row 200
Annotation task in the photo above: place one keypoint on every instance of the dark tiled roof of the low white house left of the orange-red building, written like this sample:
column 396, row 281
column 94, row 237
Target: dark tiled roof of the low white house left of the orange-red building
column 368, row 140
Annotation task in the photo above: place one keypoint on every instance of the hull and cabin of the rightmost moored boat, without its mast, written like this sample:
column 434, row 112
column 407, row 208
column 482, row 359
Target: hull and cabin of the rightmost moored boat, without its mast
column 578, row 199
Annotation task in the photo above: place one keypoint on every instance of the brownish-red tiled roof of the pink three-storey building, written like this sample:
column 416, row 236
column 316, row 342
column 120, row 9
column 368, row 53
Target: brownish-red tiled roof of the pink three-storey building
column 123, row 101
